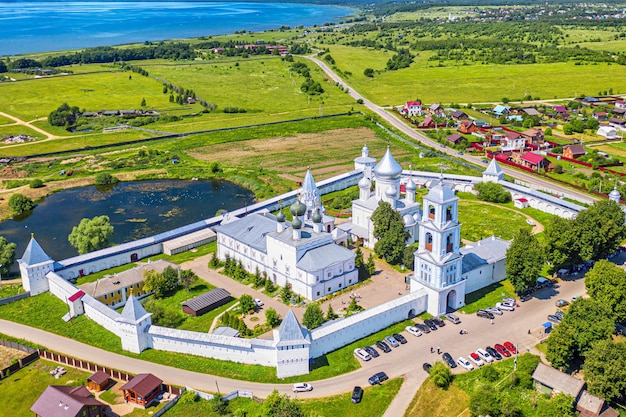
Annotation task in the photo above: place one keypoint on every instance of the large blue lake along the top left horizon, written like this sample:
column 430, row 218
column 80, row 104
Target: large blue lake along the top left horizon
column 51, row 26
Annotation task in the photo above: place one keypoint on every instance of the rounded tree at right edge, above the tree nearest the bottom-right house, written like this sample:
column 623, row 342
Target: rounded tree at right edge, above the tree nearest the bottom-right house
column 606, row 283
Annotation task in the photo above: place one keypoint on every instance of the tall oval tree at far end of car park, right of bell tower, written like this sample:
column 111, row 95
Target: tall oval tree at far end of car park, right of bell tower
column 524, row 260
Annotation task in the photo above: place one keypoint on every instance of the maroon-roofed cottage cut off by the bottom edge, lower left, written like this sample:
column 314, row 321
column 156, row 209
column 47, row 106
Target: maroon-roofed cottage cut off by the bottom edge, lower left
column 66, row 401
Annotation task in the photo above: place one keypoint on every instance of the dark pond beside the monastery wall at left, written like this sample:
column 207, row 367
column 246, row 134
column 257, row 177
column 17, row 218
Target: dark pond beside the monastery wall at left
column 136, row 210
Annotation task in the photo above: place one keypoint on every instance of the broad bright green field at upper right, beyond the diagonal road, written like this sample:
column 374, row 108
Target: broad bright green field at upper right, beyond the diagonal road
column 470, row 83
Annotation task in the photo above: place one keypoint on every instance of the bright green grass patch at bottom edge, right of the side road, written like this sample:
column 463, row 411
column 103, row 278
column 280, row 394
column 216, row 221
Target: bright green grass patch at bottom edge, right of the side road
column 432, row 401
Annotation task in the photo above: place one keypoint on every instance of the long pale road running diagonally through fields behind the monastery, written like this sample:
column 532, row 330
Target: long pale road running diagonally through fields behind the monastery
column 407, row 130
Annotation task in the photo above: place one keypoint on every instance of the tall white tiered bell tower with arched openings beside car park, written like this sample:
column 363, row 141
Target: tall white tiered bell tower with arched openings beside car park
column 438, row 261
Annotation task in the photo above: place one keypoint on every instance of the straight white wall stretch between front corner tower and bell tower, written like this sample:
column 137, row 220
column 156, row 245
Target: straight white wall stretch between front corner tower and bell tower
column 339, row 333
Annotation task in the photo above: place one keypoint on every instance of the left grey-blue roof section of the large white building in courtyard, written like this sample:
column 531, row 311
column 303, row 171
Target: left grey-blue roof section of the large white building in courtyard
column 250, row 230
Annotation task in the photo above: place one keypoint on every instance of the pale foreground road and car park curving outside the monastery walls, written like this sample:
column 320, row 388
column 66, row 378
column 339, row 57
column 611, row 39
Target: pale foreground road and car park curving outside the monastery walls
column 405, row 361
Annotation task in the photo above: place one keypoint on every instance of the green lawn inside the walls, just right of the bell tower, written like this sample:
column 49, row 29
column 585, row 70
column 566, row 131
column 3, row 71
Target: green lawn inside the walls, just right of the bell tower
column 479, row 220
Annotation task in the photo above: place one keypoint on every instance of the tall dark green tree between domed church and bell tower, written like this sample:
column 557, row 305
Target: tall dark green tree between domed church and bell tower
column 389, row 232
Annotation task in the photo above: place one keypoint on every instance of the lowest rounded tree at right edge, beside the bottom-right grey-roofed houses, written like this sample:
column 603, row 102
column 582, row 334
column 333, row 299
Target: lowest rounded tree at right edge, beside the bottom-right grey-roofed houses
column 605, row 369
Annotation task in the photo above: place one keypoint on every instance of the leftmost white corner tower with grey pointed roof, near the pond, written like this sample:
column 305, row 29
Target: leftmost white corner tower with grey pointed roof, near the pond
column 34, row 265
